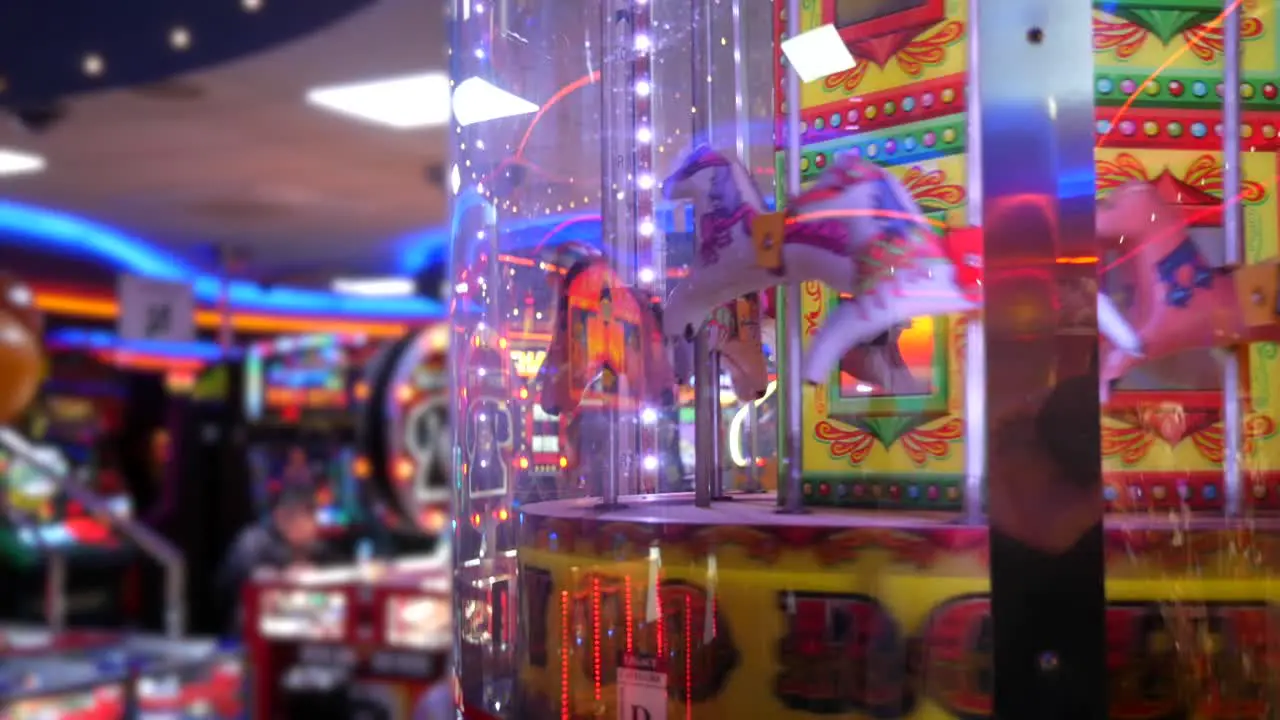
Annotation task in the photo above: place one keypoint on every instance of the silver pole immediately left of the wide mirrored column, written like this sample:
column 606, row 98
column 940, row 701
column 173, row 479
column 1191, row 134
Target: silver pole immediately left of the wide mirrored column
column 976, row 343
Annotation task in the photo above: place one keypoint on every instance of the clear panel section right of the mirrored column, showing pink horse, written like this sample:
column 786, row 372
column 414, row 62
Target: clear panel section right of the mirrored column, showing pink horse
column 1187, row 108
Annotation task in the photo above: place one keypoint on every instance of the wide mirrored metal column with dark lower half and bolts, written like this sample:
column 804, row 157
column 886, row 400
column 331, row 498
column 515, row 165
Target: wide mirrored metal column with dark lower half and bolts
column 1044, row 466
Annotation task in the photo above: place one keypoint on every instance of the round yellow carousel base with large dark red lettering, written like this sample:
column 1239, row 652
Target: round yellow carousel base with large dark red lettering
column 858, row 614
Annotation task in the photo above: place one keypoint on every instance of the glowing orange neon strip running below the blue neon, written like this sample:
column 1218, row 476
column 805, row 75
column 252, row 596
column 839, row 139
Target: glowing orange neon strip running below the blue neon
column 107, row 309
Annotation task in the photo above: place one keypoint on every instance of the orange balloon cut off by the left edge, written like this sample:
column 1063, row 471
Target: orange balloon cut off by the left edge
column 21, row 358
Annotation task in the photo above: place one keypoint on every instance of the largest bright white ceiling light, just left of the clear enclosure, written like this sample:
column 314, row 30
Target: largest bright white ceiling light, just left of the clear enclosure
column 404, row 103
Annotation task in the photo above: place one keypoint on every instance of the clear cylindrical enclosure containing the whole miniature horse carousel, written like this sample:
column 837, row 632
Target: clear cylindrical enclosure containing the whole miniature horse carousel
column 852, row 359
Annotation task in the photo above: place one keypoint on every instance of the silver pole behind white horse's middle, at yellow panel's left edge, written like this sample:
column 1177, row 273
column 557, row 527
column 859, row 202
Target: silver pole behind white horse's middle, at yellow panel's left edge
column 792, row 349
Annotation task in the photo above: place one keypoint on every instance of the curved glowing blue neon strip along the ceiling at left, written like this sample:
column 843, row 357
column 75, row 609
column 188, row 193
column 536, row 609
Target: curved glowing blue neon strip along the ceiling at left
column 42, row 229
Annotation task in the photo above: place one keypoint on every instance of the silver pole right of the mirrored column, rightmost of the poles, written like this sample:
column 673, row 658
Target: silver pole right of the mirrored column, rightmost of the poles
column 1233, row 238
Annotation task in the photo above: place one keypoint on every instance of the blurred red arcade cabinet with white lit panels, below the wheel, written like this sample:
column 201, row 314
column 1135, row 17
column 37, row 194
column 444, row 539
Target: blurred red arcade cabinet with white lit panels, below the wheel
column 355, row 642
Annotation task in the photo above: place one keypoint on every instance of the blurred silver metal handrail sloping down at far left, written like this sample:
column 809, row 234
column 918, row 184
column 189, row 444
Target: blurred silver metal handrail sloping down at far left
column 152, row 544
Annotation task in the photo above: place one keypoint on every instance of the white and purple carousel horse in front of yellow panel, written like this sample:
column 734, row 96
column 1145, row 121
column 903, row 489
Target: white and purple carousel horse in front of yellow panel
column 857, row 230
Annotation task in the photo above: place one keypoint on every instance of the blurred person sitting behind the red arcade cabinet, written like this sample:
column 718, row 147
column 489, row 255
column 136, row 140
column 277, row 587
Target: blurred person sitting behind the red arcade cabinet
column 287, row 539
